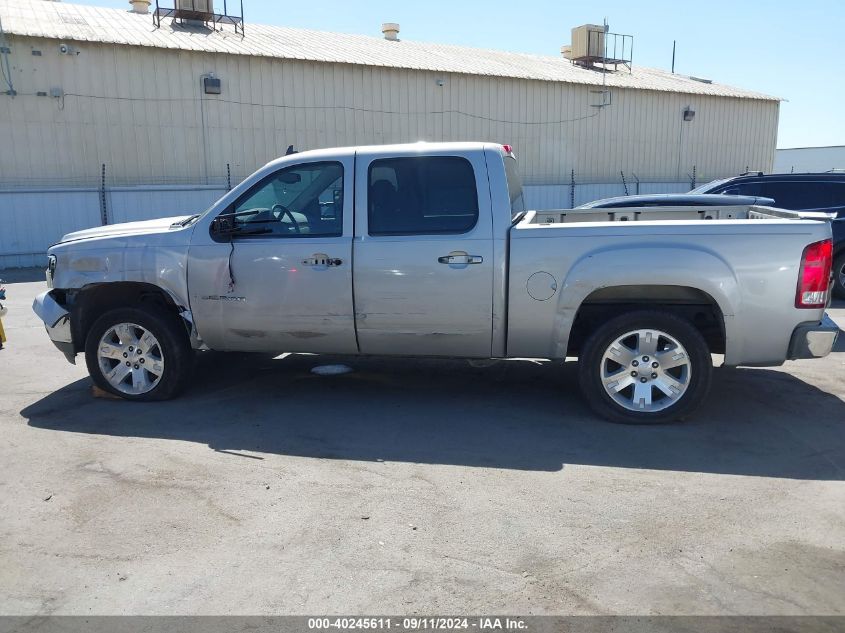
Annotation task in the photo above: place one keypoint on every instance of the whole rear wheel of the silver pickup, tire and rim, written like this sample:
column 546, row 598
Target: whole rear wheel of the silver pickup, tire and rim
column 645, row 367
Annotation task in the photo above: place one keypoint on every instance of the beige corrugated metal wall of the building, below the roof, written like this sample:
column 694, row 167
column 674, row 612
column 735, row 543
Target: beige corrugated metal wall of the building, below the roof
column 142, row 113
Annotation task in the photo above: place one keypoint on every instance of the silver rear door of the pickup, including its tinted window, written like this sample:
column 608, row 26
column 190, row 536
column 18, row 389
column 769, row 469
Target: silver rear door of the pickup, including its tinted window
column 423, row 255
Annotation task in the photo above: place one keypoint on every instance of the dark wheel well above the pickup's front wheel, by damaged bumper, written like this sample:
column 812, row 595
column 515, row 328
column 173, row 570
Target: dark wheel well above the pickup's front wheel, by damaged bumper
column 89, row 303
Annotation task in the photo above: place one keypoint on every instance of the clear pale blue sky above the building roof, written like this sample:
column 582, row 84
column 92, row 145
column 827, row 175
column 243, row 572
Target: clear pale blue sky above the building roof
column 791, row 49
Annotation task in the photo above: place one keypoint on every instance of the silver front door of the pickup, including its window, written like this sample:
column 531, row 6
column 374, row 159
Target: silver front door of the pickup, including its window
column 282, row 280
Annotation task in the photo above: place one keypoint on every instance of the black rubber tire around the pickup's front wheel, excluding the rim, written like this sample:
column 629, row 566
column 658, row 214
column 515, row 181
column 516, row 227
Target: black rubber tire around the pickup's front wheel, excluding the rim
column 173, row 340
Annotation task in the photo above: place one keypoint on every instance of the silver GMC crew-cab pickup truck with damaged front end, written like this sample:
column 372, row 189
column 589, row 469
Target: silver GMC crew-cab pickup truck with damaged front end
column 426, row 250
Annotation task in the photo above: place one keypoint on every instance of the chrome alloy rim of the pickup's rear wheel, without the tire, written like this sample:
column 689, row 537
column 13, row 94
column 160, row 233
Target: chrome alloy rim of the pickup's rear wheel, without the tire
column 646, row 370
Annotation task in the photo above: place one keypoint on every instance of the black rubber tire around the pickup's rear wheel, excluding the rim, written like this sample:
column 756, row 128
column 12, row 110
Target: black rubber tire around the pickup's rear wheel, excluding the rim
column 590, row 367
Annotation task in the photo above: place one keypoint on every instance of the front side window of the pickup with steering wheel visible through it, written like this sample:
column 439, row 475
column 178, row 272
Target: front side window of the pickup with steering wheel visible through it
column 299, row 201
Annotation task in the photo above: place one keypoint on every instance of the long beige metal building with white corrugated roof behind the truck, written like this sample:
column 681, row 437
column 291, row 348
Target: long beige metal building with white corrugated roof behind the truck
column 103, row 89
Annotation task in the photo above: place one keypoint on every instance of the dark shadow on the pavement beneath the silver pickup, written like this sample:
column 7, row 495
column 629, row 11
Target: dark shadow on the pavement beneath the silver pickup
column 516, row 414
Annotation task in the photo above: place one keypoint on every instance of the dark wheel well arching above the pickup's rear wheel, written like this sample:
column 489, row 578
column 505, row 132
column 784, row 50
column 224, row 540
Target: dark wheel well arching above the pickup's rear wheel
column 696, row 306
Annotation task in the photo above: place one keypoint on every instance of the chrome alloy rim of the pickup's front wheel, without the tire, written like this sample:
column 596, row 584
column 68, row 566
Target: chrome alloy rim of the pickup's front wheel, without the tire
column 130, row 358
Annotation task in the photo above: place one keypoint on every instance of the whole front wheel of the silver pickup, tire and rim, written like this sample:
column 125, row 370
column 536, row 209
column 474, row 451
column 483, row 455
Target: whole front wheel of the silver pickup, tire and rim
column 139, row 354
